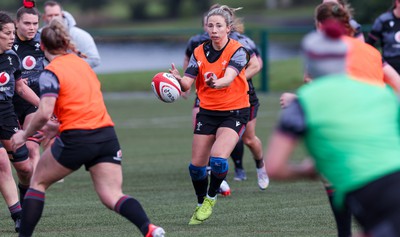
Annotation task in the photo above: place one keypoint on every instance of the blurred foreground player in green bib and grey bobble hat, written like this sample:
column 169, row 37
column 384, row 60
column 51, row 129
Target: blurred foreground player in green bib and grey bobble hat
column 351, row 131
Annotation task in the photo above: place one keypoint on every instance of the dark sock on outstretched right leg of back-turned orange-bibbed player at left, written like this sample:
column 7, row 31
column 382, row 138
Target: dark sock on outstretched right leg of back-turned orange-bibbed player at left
column 132, row 210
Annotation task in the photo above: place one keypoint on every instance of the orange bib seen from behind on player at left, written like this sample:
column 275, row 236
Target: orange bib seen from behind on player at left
column 80, row 102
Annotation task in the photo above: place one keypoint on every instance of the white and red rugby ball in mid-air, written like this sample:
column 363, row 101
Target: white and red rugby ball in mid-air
column 166, row 87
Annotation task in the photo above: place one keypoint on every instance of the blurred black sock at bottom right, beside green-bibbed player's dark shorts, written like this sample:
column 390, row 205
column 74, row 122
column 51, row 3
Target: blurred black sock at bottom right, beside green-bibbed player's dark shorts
column 342, row 217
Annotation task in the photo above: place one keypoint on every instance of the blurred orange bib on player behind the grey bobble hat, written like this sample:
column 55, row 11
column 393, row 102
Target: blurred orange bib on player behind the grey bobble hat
column 363, row 62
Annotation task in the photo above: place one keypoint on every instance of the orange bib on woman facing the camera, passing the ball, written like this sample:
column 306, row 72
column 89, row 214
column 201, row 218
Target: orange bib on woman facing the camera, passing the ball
column 232, row 97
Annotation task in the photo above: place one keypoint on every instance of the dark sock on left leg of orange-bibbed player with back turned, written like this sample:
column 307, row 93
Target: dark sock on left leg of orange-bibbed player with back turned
column 33, row 208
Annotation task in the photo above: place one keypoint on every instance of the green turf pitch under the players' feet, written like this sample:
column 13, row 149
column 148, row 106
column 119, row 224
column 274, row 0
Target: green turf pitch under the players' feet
column 156, row 142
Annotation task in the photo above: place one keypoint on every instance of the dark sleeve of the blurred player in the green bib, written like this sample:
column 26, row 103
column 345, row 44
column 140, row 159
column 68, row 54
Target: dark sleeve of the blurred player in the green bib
column 292, row 120
